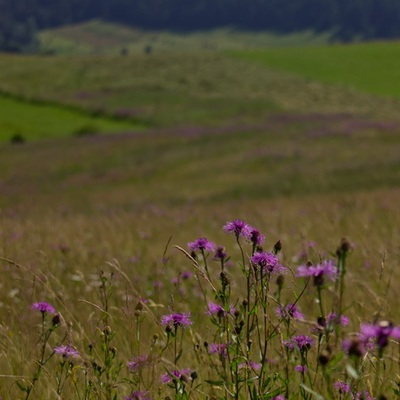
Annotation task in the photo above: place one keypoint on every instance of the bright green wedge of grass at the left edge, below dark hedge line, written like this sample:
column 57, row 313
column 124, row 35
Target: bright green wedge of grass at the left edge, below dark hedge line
column 34, row 121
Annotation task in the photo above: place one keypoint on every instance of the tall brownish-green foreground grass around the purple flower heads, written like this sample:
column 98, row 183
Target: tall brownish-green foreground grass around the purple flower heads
column 113, row 317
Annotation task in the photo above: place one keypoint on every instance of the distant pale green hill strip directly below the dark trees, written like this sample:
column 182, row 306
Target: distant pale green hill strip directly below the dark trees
column 99, row 37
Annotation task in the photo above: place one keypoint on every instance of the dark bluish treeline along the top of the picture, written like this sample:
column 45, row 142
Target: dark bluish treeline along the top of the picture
column 367, row 19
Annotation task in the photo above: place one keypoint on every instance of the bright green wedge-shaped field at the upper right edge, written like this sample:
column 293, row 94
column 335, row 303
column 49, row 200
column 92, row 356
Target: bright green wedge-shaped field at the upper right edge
column 368, row 67
